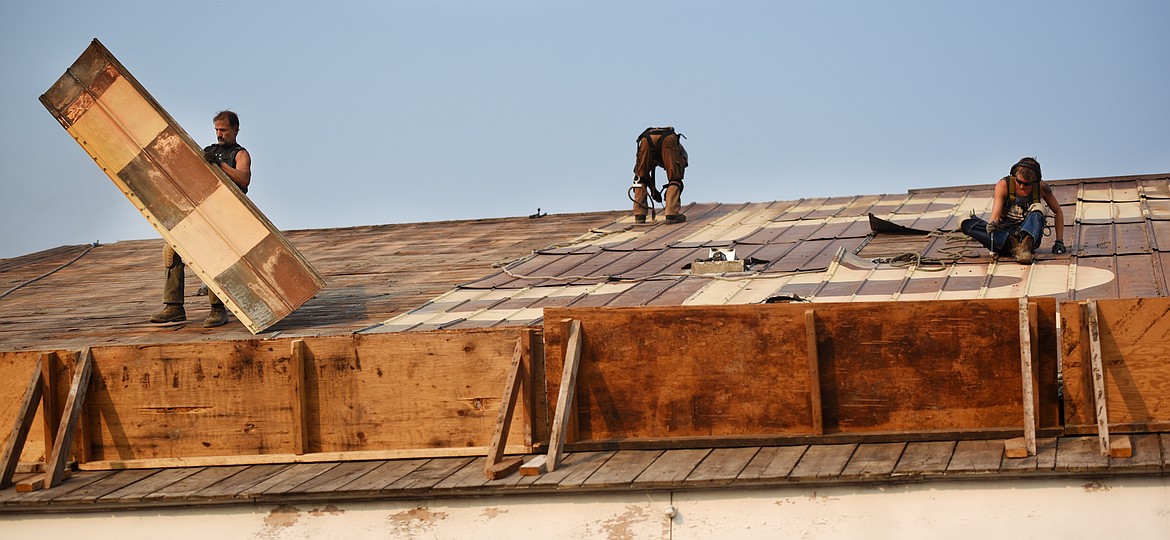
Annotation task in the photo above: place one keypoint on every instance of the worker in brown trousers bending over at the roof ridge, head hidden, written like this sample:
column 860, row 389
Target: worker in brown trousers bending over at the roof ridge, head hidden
column 659, row 148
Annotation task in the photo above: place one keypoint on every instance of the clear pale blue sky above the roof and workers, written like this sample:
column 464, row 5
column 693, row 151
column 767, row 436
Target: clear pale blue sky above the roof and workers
column 391, row 113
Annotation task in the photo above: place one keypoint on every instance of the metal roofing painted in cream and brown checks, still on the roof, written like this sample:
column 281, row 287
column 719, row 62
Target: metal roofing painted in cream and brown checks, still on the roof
column 827, row 251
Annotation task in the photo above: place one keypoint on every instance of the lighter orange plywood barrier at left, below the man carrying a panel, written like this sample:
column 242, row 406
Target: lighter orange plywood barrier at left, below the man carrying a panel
column 236, row 403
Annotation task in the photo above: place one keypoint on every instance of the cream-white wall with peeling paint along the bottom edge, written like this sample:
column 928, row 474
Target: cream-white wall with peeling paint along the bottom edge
column 1058, row 509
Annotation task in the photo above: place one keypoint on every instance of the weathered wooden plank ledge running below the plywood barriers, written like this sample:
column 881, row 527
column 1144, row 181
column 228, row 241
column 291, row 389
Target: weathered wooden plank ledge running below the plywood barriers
column 601, row 472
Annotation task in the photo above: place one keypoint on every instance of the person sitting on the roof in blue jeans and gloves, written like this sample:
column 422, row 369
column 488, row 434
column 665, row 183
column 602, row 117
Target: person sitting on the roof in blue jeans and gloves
column 1017, row 216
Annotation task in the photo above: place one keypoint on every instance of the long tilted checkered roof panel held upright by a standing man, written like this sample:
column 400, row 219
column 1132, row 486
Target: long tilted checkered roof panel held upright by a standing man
column 223, row 237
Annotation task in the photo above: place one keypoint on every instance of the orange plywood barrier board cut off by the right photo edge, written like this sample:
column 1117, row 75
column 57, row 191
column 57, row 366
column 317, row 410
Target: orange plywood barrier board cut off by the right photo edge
column 1135, row 345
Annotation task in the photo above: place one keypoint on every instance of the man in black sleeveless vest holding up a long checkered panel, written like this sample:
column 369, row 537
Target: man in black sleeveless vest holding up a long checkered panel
column 236, row 162
